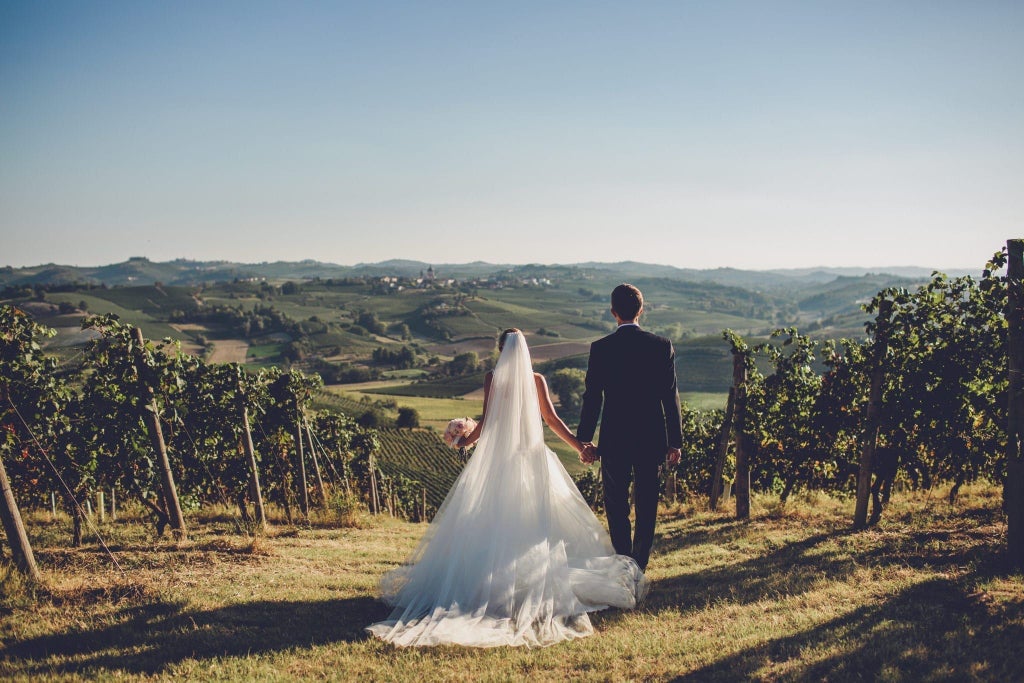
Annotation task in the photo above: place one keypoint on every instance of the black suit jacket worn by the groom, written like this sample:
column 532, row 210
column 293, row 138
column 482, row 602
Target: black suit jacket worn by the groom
column 632, row 375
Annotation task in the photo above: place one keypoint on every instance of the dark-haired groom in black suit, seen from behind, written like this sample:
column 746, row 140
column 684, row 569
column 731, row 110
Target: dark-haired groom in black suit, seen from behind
column 633, row 374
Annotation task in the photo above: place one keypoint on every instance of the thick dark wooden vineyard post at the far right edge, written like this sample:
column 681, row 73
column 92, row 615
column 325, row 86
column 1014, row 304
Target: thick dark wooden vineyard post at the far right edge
column 1013, row 491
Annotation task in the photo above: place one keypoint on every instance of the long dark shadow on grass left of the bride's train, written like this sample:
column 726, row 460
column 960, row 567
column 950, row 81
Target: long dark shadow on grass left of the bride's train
column 149, row 639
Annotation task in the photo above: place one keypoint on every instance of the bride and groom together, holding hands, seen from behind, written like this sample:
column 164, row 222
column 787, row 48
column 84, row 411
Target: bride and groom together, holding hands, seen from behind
column 516, row 557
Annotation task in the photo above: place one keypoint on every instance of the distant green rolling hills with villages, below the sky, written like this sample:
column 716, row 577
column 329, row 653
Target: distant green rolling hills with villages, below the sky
column 315, row 314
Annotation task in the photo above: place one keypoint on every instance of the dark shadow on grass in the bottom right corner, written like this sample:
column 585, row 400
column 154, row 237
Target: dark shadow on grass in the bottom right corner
column 929, row 631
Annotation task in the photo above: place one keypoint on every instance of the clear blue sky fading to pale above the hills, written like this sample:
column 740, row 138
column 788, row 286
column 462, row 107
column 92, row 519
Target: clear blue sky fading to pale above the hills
column 756, row 135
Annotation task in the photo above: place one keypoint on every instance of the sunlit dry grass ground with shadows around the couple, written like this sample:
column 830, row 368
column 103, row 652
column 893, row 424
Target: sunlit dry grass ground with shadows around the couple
column 791, row 594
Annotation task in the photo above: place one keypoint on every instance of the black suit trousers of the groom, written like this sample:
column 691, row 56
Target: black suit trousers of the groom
column 618, row 472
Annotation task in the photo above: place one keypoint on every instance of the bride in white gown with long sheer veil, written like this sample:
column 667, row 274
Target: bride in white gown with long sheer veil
column 515, row 556
